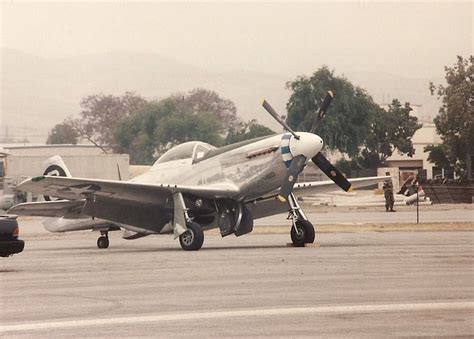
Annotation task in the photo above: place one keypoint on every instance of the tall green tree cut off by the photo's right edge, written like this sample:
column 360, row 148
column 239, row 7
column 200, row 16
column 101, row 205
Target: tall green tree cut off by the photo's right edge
column 455, row 121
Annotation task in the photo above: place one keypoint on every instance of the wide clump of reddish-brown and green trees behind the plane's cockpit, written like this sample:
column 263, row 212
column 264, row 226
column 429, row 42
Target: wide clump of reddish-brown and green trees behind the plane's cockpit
column 144, row 129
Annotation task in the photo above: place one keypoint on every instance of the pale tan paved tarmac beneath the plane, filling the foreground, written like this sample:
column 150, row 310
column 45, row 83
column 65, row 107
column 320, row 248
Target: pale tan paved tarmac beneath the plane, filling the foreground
column 354, row 284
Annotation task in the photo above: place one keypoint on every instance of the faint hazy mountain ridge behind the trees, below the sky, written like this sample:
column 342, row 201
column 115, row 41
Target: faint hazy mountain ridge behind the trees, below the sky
column 37, row 92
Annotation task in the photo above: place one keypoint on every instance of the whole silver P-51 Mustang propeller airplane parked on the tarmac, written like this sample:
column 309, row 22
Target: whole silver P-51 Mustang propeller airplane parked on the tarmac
column 194, row 187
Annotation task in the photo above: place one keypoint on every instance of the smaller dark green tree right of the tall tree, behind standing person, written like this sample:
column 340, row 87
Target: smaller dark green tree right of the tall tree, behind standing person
column 389, row 131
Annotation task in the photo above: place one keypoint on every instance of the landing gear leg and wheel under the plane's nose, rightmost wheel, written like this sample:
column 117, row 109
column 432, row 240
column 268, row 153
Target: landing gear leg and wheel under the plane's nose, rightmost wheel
column 302, row 231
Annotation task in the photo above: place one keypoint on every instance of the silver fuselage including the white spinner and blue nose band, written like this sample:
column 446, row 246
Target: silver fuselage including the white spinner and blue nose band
column 256, row 167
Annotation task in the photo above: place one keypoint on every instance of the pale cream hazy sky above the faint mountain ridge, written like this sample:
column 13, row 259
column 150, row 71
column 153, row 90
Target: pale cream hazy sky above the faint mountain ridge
column 412, row 39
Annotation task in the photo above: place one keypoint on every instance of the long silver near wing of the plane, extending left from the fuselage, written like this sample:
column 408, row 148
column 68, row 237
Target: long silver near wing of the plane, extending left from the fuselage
column 79, row 188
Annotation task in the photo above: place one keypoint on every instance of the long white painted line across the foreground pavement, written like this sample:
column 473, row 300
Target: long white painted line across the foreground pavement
column 322, row 310
